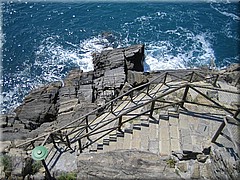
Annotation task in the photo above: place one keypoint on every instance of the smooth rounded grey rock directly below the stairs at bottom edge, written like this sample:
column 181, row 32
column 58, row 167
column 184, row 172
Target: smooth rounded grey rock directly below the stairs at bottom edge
column 124, row 164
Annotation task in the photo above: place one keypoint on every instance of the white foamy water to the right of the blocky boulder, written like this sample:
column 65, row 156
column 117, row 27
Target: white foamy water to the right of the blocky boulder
column 194, row 51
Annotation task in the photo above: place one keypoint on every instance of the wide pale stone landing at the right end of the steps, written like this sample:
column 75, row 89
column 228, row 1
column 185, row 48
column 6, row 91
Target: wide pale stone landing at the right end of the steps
column 197, row 125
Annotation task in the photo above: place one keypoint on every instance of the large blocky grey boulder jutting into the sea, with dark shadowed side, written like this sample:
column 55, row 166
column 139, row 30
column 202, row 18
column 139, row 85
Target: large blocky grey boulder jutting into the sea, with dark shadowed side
column 111, row 70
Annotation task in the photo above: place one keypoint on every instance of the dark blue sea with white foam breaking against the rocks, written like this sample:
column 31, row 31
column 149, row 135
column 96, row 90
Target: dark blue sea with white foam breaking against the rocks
column 42, row 41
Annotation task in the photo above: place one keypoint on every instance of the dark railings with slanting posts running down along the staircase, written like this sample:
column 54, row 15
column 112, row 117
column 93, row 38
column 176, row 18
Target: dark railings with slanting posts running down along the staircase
column 85, row 129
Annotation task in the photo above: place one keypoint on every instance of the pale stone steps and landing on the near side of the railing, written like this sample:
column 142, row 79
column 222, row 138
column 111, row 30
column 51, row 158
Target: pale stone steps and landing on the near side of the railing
column 166, row 133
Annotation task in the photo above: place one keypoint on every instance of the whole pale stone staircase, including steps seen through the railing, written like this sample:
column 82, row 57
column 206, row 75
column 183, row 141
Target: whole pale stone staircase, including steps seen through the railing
column 168, row 130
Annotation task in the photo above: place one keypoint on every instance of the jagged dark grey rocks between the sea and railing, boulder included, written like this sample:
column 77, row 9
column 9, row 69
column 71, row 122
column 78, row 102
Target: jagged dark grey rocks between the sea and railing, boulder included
column 58, row 103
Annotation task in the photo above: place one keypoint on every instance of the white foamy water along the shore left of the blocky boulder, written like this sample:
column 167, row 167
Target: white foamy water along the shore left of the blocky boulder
column 52, row 62
